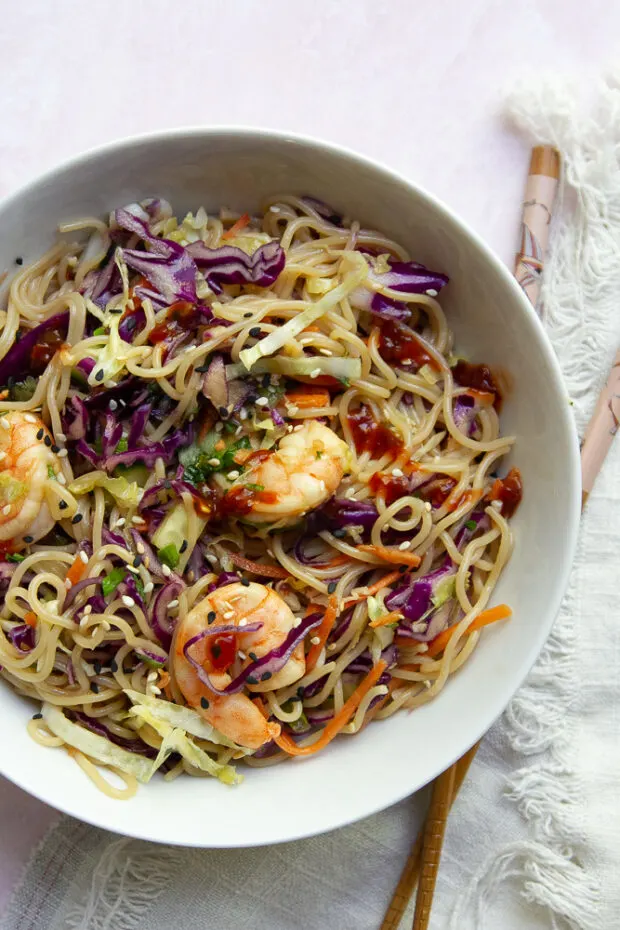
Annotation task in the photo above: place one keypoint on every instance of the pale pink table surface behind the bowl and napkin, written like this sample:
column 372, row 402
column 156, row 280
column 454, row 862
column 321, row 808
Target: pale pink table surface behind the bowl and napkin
column 417, row 85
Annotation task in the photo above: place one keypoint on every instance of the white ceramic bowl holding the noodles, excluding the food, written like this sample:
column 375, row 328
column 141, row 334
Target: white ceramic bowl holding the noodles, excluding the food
column 493, row 323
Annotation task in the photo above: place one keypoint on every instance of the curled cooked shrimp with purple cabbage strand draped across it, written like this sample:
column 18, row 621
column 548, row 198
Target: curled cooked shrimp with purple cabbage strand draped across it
column 235, row 715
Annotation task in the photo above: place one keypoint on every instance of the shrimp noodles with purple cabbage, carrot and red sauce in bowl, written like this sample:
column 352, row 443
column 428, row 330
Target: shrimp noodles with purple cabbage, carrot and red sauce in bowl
column 251, row 498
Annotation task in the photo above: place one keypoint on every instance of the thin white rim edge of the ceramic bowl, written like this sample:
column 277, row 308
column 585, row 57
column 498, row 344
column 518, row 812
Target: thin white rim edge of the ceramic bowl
column 357, row 160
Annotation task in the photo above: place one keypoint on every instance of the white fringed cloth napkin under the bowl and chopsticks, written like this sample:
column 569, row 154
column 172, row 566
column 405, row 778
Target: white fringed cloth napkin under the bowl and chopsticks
column 534, row 839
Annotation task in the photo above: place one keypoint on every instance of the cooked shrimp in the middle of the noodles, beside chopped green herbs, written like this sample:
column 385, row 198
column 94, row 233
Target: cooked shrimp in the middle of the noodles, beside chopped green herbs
column 299, row 476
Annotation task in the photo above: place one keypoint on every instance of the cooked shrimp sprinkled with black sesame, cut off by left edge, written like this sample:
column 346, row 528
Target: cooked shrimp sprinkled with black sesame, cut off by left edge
column 27, row 464
